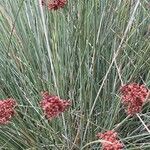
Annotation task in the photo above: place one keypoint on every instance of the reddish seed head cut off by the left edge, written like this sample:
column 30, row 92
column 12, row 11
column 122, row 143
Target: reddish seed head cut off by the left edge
column 7, row 110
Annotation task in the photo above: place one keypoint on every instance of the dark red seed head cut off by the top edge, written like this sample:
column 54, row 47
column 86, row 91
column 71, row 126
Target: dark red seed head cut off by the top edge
column 54, row 4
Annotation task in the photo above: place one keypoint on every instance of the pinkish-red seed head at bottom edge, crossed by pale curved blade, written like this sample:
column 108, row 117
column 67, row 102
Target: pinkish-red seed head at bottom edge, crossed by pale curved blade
column 111, row 141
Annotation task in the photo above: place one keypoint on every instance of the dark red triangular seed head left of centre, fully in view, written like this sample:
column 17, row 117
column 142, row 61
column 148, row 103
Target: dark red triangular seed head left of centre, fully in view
column 53, row 105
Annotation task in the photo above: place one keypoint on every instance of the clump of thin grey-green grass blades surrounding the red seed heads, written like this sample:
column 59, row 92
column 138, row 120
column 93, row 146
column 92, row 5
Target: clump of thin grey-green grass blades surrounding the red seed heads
column 83, row 52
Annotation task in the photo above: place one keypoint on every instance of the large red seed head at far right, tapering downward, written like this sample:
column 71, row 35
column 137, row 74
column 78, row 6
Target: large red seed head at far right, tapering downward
column 133, row 97
